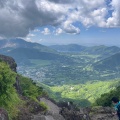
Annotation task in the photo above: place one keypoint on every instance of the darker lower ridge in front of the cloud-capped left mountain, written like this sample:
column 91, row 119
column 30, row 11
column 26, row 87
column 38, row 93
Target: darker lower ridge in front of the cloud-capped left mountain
column 25, row 54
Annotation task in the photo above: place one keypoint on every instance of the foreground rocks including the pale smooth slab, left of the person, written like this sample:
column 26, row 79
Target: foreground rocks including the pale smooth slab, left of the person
column 70, row 113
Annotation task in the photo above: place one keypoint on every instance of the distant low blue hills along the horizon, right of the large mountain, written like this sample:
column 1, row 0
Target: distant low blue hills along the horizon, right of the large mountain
column 102, row 51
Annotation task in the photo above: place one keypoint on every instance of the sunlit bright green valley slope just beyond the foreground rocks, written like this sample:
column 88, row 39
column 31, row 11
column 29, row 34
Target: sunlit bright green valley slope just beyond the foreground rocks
column 81, row 94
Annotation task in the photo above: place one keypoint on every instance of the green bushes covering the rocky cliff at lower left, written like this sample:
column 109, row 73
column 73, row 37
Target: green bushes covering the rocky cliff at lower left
column 9, row 97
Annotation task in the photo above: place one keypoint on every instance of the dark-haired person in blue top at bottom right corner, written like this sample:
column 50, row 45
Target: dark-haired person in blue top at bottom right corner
column 116, row 104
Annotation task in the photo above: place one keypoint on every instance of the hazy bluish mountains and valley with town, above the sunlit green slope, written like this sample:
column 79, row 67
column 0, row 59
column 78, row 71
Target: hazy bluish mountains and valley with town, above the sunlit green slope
column 63, row 64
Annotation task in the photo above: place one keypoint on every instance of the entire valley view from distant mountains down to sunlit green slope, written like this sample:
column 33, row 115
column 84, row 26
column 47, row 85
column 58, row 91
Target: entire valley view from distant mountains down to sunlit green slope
column 69, row 72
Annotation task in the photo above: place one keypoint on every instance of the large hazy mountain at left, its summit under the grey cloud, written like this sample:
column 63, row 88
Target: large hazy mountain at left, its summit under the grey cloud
column 23, row 51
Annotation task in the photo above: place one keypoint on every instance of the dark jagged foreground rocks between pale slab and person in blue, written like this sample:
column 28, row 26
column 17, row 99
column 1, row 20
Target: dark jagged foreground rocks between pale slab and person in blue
column 95, row 113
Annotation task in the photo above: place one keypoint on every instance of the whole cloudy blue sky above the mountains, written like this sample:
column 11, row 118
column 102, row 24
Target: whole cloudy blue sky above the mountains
column 48, row 22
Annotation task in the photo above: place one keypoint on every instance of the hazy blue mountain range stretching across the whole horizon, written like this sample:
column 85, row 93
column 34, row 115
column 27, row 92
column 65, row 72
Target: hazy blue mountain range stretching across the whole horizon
column 9, row 45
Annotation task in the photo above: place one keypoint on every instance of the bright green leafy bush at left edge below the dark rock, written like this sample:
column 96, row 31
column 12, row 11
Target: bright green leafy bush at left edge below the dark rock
column 8, row 96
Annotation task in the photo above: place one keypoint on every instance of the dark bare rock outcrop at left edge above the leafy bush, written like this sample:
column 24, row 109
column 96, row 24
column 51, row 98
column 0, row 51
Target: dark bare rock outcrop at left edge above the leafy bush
column 10, row 61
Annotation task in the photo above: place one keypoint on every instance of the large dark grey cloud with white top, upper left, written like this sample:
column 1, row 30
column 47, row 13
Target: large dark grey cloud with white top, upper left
column 17, row 18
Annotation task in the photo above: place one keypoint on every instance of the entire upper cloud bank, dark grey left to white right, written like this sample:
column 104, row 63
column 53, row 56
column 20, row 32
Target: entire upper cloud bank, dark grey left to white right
column 19, row 17
